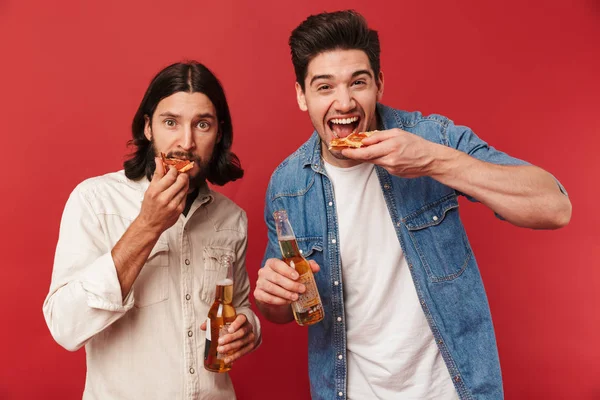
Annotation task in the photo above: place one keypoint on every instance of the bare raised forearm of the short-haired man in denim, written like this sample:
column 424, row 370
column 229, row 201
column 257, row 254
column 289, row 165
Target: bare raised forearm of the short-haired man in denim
column 525, row 196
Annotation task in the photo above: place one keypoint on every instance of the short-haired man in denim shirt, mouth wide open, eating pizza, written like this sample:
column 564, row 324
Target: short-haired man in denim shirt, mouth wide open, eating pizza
column 406, row 314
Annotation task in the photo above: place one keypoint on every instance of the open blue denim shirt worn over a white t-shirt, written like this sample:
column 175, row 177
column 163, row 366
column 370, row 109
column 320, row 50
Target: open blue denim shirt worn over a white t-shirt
column 425, row 214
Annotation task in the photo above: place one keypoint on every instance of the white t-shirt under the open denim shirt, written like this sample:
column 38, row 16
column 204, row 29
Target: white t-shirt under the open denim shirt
column 391, row 352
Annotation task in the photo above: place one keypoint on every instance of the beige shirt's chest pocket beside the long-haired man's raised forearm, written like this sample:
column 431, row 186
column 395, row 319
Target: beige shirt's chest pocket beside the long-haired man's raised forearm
column 152, row 284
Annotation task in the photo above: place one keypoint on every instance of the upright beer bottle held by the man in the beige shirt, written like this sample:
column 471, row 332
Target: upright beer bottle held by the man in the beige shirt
column 220, row 317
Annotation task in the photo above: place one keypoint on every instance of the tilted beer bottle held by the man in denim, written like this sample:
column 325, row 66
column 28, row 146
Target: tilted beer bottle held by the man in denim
column 308, row 309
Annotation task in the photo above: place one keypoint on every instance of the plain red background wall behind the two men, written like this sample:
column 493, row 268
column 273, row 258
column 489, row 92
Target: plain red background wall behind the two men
column 523, row 75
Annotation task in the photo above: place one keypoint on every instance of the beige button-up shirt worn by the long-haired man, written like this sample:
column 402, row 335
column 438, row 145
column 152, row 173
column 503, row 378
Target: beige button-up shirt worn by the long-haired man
column 149, row 345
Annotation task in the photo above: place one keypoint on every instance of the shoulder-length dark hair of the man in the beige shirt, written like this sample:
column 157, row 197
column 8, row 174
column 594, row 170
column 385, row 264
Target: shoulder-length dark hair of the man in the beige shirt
column 190, row 77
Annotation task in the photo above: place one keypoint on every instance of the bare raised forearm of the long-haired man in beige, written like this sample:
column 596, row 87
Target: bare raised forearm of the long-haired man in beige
column 131, row 253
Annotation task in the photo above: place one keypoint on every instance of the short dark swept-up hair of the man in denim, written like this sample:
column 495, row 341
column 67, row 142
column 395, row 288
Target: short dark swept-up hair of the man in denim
column 344, row 30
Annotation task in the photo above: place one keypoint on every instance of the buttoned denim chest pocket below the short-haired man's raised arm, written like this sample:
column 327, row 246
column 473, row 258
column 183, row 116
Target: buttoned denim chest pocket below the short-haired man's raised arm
column 440, row 239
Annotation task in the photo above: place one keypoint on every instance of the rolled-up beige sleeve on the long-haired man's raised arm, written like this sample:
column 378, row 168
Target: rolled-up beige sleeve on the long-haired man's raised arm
column 85, row 293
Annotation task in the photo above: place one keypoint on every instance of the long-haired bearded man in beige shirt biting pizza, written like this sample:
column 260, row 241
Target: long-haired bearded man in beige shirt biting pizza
column 140, row 252
